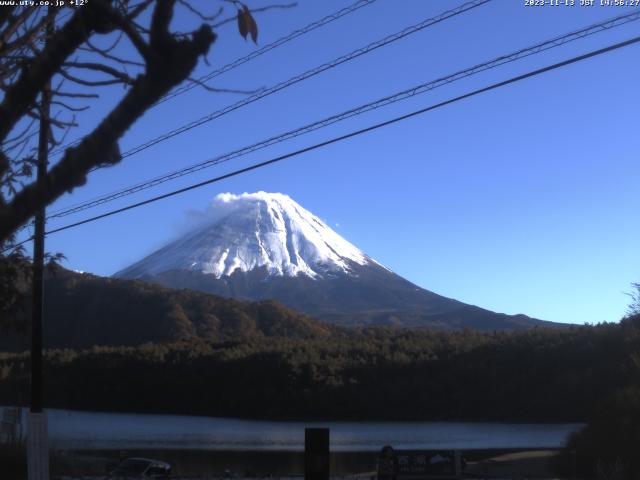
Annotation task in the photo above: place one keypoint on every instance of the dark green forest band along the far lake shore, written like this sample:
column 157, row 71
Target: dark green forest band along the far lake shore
column 535, row 375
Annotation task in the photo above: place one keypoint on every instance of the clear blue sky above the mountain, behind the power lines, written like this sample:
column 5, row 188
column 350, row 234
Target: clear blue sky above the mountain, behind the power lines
column 521, row 200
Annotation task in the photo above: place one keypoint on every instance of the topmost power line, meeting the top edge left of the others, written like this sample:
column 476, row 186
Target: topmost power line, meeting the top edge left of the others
column 247, row 58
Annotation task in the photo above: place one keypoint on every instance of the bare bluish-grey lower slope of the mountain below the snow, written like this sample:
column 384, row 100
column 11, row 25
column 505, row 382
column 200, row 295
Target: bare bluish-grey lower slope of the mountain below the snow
column 370, row 299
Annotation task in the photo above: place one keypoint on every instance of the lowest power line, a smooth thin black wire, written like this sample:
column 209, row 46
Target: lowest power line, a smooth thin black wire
column 355, row 133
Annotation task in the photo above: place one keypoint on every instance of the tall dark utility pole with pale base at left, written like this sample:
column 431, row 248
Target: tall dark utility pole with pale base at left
column 37, row 440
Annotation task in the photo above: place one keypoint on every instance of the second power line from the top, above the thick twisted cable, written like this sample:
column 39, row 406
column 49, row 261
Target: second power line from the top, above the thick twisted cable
column 306, row 75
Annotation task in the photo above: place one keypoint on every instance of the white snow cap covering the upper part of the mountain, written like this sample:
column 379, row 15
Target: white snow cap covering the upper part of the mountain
column 255, row 230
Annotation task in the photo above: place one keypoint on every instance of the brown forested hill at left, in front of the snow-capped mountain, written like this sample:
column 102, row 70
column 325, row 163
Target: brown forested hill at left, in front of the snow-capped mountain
column 82, row 310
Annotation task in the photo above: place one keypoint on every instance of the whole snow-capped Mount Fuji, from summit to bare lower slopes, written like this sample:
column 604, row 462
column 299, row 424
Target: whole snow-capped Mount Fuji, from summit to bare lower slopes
column 266, row 246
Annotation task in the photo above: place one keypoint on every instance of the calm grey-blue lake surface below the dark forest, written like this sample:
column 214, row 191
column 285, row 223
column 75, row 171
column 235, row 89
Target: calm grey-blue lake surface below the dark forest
column 88, row 430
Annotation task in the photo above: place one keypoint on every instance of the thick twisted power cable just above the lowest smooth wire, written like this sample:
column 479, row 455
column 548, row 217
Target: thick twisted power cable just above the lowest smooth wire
column 402, row 95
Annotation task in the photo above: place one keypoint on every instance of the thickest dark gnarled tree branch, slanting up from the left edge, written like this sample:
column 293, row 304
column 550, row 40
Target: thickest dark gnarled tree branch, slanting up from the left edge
column 170, row 61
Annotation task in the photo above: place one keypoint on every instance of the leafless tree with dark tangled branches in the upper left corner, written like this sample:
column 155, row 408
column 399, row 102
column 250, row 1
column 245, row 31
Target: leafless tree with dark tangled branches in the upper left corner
column 67, row 49
